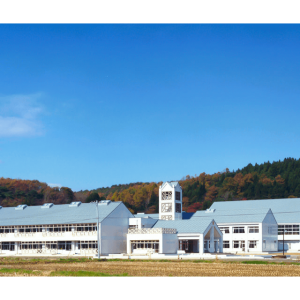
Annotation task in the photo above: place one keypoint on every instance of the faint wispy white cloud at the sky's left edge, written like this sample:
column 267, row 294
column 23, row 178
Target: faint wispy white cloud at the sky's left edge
column 19, row 115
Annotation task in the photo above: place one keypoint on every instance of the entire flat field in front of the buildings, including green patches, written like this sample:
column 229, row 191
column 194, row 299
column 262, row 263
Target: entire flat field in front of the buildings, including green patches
column 85, row 268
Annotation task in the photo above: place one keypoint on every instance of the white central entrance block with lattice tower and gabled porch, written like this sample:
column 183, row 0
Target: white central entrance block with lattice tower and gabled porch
column 168, row 232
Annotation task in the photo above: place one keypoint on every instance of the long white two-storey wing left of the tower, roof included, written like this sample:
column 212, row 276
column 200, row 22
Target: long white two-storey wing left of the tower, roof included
column 64, row 229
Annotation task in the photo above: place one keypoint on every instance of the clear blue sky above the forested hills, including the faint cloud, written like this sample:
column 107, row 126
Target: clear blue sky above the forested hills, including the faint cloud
column 91, row 105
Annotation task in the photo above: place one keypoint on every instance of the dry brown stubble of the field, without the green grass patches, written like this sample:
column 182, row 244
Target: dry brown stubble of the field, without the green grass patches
column 159, row 269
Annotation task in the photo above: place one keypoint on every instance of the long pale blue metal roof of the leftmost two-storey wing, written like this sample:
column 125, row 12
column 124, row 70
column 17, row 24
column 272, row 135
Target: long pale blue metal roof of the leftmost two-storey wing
column 57, row 214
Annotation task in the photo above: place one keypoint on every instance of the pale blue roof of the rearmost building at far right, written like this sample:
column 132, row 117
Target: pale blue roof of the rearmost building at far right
column 285, row 210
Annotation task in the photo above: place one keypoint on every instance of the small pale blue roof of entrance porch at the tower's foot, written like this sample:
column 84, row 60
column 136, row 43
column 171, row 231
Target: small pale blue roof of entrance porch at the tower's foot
column 197, row 225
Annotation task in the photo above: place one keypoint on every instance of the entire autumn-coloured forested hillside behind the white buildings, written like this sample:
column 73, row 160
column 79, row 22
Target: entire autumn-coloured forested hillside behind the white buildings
column 269, row 180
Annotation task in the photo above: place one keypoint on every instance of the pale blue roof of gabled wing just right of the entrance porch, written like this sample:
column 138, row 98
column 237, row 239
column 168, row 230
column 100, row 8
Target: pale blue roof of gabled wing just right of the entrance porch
column 234, row 216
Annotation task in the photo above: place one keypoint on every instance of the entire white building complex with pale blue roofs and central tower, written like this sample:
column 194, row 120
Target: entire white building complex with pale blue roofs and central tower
column 72, row 229
